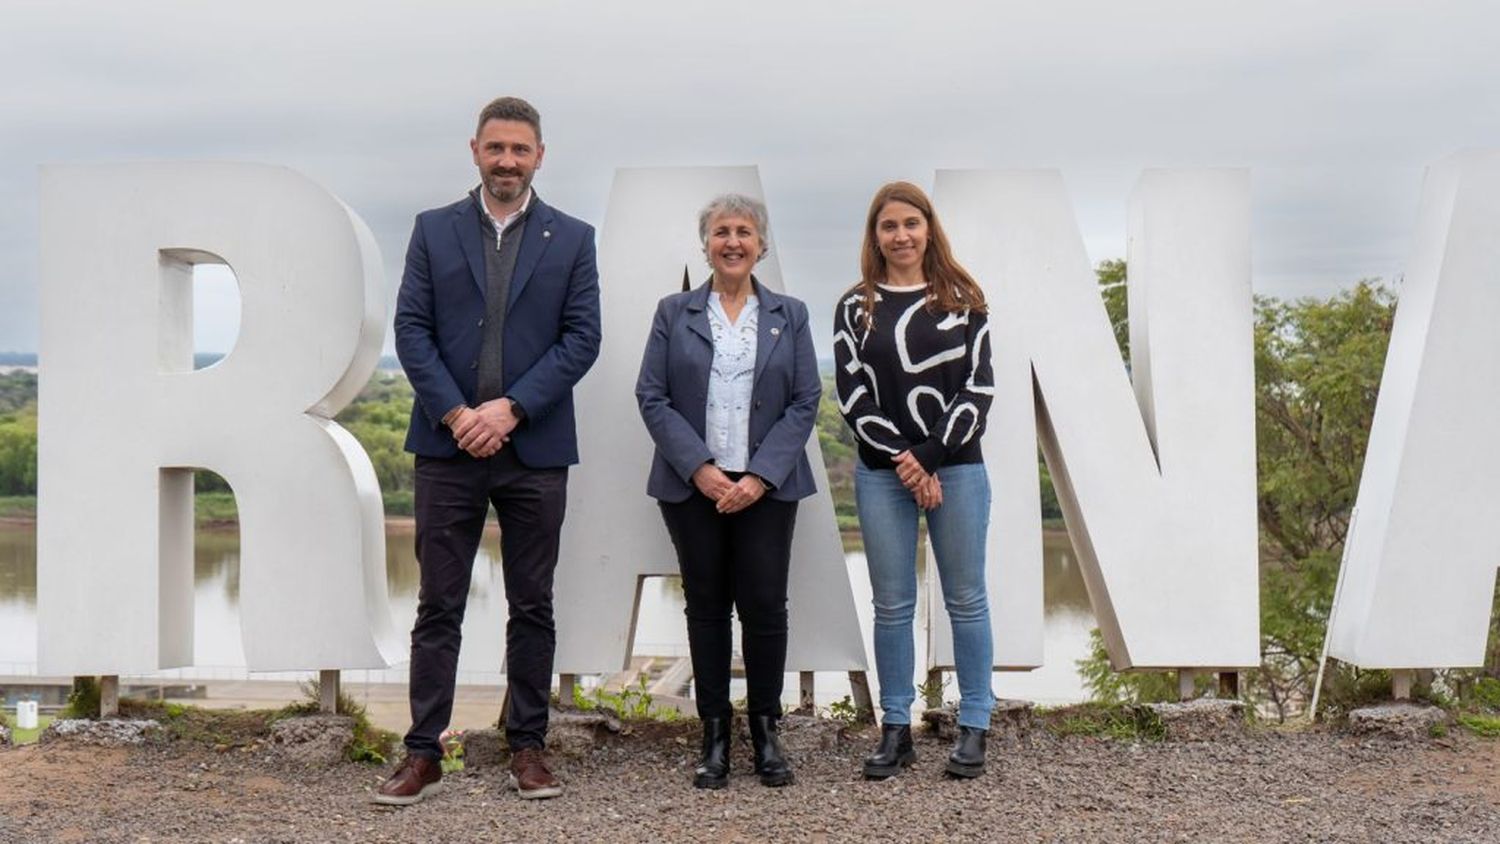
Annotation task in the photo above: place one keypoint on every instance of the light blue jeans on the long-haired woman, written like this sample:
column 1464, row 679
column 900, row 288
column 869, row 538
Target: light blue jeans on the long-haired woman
column 958, row 531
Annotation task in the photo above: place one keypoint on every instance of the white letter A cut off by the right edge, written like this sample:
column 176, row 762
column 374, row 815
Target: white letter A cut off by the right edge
column 1420, row 572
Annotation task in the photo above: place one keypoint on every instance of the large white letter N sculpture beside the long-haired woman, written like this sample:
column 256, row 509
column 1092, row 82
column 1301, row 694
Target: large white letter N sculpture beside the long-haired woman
column 1159, row 489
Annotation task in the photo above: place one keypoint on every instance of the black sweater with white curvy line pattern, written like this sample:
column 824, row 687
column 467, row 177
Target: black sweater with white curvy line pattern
column 919, row 382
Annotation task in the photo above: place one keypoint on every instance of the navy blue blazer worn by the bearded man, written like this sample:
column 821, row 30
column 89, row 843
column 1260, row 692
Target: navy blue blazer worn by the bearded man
column 551, row 328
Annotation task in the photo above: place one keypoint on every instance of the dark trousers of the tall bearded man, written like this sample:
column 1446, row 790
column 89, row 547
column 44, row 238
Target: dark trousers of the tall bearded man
column 452, row 501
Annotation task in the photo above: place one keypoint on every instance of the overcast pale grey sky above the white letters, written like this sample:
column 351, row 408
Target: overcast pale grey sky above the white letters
column 1337, row 107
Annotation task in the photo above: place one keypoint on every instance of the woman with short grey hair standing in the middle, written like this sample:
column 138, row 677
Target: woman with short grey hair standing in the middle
column 730, row 392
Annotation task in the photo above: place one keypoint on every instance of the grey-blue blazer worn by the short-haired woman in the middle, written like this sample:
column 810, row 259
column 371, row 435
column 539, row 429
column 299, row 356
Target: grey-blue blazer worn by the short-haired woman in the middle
column 673, row 392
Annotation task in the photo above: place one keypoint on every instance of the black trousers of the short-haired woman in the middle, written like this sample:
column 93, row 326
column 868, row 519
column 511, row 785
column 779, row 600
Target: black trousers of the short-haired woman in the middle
column 737, row 561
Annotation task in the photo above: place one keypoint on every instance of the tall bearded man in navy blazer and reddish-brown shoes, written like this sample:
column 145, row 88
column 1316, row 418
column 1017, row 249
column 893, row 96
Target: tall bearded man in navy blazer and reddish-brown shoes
column 497, row 320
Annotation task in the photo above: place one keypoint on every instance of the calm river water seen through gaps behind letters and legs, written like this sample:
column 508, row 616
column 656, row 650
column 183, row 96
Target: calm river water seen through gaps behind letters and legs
column 659, row 632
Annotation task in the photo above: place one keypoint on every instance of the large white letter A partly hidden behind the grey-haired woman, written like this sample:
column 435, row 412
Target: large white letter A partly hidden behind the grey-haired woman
column 614, row 534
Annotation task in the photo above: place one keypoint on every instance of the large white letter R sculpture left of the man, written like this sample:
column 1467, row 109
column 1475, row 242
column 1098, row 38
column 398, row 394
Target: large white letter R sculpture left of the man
column 125, row 419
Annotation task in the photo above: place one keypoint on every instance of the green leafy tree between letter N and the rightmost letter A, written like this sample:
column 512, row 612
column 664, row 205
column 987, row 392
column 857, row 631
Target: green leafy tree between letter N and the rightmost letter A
column 1318, row 373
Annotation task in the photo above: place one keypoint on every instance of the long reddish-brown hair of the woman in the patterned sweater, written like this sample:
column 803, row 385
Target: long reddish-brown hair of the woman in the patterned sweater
column 950, row 287
